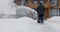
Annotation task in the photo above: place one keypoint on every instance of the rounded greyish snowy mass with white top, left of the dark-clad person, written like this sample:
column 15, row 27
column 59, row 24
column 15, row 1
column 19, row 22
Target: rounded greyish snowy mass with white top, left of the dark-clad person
column 26, row 11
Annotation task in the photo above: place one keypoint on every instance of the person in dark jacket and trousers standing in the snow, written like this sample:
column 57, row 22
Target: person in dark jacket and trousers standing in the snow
column 40, row 11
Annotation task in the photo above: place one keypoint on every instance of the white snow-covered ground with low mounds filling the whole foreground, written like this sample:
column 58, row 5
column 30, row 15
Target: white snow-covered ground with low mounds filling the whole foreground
column 26, row 24
